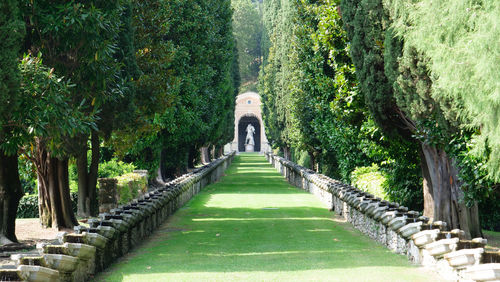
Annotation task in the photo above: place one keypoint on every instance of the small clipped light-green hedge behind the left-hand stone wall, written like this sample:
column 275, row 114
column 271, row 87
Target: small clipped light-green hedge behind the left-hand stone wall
column 130, row 186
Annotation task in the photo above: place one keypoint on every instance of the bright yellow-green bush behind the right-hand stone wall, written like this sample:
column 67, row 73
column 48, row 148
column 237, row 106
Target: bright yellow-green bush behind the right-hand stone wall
column 370, row 179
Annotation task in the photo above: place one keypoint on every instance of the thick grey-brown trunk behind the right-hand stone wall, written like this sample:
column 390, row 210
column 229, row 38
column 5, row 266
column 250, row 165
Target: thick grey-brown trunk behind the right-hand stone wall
column 443, row 196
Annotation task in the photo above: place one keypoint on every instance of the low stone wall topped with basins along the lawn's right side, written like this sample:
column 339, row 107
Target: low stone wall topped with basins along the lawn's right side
column 405, row 232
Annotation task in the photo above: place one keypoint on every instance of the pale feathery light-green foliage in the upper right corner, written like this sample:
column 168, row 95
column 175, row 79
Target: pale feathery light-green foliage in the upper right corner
column 460, row 38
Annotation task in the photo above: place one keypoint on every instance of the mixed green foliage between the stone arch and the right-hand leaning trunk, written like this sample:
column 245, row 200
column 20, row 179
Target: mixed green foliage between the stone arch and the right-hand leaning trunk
column 313, row 103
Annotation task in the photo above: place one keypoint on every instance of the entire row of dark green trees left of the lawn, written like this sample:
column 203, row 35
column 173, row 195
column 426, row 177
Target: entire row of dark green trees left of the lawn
column 153, row 81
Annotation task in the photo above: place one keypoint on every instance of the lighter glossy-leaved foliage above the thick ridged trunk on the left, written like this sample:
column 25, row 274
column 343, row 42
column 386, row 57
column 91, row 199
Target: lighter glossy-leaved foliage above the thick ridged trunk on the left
column 47, row 108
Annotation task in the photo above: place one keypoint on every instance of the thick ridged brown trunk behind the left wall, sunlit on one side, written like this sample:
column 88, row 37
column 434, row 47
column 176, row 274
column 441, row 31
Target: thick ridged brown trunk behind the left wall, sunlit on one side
column 54, row 201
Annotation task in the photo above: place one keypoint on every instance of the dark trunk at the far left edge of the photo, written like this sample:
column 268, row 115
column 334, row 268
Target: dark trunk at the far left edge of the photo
column 11, row 192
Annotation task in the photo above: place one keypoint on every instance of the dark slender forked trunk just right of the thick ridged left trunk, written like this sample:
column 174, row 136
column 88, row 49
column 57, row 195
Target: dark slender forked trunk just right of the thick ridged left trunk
column 87, row 178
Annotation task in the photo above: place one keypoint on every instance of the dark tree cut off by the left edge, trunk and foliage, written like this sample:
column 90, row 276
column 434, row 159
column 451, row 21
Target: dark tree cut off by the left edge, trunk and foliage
column 11, row 34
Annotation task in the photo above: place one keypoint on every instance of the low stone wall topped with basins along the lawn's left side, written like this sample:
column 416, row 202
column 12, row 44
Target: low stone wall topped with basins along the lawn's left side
column 88, row 250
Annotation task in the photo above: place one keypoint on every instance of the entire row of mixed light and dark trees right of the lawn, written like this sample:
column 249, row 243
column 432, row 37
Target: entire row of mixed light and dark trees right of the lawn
column 356, row 82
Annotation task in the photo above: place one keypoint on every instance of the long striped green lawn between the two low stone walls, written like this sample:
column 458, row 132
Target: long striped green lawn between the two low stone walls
column 254, row 226
